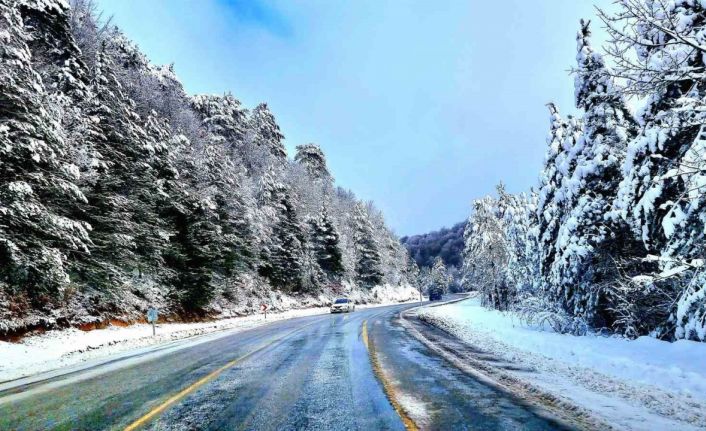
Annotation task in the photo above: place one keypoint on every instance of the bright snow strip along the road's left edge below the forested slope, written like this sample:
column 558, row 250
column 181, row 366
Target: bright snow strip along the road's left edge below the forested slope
column 57, row 349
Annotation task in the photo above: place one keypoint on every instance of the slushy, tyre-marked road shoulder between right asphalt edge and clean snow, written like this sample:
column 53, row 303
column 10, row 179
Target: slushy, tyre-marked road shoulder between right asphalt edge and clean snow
column 584, row 396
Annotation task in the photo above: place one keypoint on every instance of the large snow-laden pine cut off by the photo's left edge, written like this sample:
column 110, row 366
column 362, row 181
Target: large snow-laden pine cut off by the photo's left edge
column 37, row 182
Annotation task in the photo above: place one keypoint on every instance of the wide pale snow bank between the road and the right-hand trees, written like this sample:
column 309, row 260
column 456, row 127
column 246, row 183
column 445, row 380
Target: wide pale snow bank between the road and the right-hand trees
column 631, row 384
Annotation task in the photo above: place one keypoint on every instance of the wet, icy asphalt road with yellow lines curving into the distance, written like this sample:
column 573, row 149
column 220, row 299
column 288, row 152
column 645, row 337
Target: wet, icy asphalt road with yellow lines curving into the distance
column 306, row 373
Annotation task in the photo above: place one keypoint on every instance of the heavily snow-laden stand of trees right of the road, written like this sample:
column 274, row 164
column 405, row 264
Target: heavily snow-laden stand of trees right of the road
column 612, row 237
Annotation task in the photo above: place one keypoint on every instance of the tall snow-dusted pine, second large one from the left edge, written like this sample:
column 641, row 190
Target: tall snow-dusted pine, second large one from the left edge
column 122, row 201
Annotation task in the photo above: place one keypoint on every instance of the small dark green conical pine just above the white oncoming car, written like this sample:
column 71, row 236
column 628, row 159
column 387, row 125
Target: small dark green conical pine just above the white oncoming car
column 325, row 243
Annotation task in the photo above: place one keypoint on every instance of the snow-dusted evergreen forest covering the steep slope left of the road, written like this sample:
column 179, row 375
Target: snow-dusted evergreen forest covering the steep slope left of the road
column 120, row 191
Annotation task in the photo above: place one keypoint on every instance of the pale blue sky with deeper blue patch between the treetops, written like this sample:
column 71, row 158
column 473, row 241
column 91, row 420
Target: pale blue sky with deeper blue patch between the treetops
column 420, row 106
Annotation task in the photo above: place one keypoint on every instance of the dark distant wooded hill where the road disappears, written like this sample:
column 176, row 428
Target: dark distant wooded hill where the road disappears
column 447, row 243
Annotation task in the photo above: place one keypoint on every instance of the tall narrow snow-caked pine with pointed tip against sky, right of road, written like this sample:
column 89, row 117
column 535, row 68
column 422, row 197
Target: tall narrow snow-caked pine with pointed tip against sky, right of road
column 587, row 244
